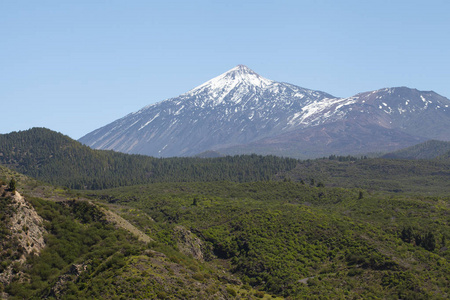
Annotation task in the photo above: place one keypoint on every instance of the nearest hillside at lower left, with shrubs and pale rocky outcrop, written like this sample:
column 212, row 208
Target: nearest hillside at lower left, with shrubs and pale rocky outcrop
column 66, row 247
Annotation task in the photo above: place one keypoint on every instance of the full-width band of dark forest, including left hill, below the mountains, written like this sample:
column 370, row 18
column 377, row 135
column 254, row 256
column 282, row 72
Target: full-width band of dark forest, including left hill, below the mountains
column 57, row 159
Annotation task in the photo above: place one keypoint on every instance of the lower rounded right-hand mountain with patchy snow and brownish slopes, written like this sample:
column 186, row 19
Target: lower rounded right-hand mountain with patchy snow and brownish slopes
column 380, row 121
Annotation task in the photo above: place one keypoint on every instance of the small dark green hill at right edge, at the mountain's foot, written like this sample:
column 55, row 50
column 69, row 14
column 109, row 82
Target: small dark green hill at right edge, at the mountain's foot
column 428, row 150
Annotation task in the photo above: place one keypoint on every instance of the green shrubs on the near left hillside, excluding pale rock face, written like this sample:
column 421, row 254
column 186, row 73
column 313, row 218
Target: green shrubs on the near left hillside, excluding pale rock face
column 87, row 257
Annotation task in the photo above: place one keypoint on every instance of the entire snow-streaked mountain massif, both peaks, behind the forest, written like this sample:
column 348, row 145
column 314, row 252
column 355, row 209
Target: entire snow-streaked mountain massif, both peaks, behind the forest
column 241, row 112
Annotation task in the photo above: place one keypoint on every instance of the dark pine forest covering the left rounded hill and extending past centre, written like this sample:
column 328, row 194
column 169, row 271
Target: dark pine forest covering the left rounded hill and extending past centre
column 57, row 159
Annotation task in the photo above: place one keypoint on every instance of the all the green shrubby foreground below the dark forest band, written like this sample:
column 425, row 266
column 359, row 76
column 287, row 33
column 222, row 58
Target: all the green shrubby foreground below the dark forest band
column 226, row 240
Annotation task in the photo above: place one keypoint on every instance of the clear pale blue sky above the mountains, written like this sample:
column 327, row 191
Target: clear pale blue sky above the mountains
column 74, row 66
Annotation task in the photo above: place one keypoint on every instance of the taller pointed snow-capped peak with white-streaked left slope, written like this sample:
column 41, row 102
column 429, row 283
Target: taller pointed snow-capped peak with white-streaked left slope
column 234, row 108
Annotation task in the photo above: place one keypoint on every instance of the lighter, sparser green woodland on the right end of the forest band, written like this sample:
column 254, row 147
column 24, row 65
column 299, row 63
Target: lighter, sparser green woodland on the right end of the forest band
column 429, row 177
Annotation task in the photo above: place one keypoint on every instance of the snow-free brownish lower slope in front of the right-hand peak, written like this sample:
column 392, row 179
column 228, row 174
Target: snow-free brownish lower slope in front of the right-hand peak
column 342, row 137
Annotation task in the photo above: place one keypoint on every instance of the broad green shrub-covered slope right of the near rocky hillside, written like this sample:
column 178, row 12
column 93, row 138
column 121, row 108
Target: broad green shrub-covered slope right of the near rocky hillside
column 296, row 240
